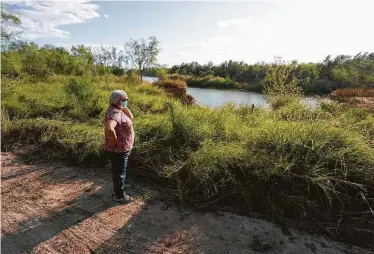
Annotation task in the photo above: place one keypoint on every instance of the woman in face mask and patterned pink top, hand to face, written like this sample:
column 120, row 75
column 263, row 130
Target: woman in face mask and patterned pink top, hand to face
column 119, row 140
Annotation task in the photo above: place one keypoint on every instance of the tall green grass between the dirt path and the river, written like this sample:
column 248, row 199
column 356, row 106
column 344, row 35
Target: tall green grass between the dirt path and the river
column 294, row 161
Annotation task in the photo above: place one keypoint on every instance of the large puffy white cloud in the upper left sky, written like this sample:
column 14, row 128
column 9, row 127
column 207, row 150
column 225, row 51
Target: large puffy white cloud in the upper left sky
column 42, row 19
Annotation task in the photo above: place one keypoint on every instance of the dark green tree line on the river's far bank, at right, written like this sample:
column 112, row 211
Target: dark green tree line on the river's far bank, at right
column 343, row 71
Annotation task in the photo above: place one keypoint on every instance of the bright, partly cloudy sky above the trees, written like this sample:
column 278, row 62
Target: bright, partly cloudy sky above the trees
column 249, row 31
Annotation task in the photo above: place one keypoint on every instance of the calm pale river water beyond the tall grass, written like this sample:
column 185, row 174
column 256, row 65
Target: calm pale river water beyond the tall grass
column 217, row 97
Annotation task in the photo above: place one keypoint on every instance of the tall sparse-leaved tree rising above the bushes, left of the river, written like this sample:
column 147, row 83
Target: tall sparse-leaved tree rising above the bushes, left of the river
column 142, row 54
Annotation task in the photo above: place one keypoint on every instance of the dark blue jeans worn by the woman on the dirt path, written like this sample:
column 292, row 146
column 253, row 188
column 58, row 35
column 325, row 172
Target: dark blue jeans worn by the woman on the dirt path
column 119, row 167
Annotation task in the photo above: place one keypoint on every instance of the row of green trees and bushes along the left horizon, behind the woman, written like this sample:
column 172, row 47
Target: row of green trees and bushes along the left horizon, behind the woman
column 19, row 58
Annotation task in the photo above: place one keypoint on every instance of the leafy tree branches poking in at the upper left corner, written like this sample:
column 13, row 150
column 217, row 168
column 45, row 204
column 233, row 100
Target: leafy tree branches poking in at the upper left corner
column 8, row 20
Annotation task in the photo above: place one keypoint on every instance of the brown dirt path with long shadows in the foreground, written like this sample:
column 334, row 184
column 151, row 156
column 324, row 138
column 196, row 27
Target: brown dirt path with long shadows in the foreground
column 59, row 209
